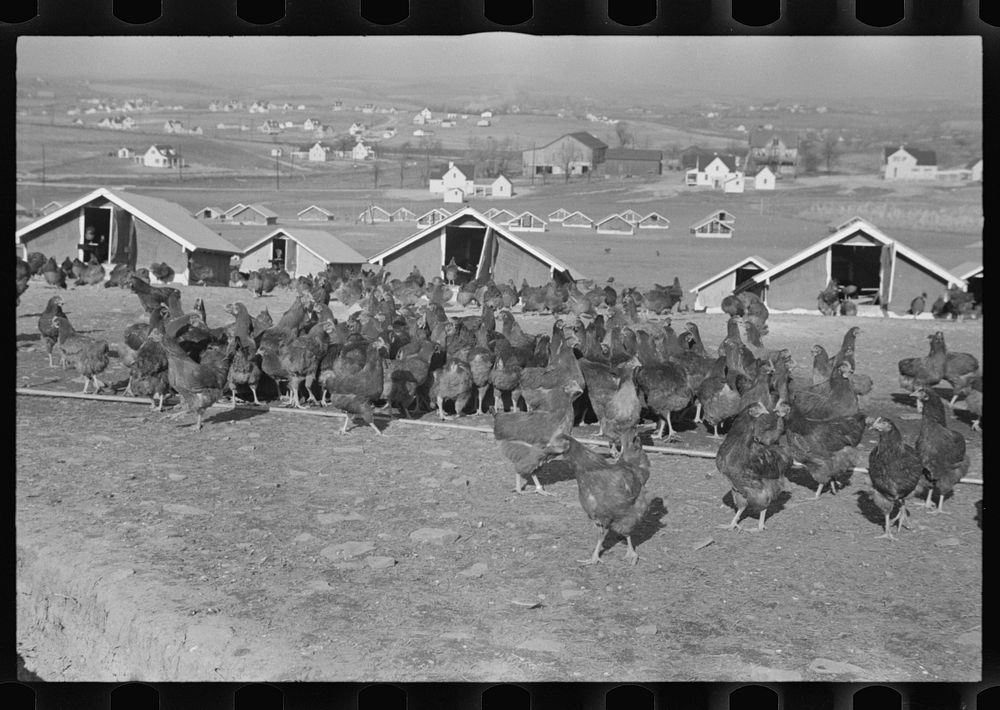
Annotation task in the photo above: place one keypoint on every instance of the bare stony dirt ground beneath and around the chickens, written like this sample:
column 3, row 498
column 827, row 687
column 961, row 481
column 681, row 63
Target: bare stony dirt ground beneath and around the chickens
column 269, row 547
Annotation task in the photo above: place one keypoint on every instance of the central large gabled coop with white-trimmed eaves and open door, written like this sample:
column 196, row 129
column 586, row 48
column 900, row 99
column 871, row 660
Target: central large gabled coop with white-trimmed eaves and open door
column 479, row 245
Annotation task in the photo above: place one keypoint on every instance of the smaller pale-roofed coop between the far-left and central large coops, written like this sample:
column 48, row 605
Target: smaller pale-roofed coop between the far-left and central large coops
column 301, row 252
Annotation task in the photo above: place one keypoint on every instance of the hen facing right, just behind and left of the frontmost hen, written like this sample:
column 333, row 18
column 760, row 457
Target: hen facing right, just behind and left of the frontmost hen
column 529, row 440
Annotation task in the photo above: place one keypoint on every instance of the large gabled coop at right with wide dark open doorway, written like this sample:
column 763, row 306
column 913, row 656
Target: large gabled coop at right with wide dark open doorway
column 884, row 271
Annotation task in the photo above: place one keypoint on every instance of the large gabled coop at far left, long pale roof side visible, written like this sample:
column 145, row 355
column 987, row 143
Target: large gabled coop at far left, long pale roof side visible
column 137, row 231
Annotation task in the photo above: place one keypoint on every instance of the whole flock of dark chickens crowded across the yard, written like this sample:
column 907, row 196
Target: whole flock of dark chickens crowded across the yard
column 398, row 349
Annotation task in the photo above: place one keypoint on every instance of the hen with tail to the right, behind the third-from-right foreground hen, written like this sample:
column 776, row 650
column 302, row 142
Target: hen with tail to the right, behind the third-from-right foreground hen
column 826, row 447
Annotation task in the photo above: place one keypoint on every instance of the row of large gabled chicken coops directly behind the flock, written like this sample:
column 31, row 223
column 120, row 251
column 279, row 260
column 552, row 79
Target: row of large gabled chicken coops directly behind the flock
column 141, row 230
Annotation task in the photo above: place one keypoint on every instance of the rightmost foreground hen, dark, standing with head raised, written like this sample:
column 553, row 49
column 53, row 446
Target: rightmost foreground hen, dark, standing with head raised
column 941, row 450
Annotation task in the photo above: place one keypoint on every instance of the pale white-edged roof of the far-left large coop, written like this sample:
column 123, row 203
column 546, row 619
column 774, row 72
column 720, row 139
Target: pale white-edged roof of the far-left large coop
column 167, row 217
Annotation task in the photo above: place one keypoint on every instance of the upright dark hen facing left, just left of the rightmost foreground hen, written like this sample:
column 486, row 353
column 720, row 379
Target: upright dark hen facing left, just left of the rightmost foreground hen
column 895, row 470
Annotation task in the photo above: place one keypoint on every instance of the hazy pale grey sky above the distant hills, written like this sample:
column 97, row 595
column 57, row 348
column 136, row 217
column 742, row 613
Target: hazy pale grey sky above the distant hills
column 941, row 67
